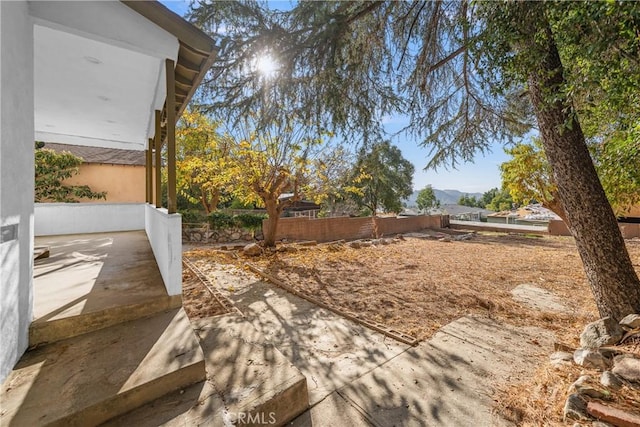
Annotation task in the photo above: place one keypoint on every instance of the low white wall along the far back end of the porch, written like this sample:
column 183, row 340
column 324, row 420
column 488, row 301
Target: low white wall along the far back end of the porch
column 75, row 218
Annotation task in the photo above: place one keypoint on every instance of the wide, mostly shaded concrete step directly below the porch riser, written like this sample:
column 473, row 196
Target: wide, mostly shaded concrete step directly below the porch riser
column 91, row 378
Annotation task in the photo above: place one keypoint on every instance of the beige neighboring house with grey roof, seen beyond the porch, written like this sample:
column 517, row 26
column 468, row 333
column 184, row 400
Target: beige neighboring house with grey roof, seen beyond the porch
column 120, row 173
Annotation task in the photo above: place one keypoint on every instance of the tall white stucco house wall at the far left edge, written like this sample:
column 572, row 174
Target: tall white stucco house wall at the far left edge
column 16, row 182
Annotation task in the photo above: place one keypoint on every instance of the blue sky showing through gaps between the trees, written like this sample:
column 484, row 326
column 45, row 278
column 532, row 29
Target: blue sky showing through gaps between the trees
column 479, row 176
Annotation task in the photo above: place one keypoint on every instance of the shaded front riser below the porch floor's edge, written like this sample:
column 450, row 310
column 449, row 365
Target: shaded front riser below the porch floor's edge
column 46, row 330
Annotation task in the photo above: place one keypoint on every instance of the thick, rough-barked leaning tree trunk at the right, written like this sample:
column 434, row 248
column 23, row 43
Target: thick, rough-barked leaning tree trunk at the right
column 613, row 281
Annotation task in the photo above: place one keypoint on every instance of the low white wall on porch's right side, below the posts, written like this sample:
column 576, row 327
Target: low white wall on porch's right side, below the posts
column 165, row 235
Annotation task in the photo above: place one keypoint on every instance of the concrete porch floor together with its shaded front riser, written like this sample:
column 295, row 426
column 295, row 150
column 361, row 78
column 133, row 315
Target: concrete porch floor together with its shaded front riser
column 91, row 281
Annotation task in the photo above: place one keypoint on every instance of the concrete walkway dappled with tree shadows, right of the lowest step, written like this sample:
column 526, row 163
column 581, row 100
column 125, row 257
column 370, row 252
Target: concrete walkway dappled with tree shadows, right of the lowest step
column 444, row 381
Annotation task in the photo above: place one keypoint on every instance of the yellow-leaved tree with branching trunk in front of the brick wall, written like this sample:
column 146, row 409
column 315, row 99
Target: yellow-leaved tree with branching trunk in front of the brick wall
column 267, row 163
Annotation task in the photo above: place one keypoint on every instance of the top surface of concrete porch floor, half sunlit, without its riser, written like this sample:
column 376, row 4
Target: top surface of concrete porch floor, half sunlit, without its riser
column 93, row 272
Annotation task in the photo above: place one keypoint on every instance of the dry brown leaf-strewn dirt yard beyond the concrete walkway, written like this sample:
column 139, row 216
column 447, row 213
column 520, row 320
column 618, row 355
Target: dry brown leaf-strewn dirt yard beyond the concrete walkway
column 418, row 285
